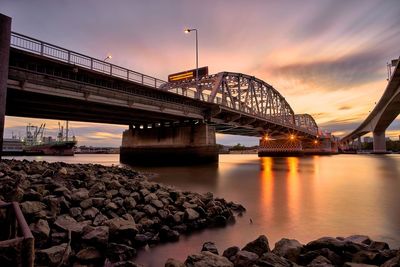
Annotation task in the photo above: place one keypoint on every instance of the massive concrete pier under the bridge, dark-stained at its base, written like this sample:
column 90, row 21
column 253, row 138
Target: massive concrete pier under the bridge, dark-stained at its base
column 175, row 145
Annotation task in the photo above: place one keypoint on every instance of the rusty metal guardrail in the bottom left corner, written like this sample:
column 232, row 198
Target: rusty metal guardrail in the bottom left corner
column 16, row 239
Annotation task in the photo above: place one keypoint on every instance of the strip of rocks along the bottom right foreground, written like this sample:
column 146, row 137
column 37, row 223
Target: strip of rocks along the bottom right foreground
column 352, row 251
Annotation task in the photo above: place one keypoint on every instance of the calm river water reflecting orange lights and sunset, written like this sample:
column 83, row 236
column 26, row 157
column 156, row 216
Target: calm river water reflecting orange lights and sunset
column 303, row 198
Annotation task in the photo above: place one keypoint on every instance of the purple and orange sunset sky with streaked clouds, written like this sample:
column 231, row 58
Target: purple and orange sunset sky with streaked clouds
column 326, row 57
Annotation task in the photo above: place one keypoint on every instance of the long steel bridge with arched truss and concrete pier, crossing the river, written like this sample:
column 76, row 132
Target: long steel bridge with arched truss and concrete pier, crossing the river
column 177, row 119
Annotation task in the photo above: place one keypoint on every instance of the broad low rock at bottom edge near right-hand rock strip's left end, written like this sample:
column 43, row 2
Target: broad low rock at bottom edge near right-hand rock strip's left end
column 207, row 259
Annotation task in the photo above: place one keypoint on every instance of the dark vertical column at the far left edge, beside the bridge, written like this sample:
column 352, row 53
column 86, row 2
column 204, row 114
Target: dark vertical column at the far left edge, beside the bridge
column 5, row 38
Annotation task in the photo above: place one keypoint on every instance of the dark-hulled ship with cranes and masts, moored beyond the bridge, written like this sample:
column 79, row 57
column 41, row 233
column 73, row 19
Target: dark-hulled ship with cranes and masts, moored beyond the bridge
column 35, row 143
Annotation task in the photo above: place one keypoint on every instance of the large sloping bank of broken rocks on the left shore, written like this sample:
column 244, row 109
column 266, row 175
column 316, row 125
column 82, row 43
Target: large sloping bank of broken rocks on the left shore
column 92, row 215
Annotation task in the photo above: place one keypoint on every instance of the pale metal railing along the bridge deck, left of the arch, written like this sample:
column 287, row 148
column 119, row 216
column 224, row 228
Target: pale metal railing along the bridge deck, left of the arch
column 38, row 47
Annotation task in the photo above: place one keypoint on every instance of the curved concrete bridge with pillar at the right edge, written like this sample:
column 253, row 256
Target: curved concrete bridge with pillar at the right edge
column 379, row 119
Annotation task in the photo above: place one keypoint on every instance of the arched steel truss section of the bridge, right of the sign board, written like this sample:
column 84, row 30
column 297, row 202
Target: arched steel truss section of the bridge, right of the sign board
column 245, row 105
